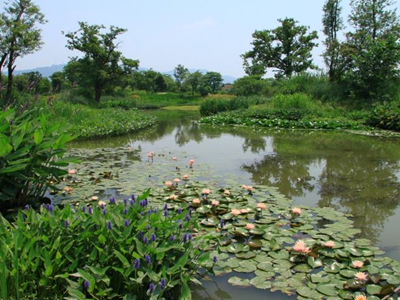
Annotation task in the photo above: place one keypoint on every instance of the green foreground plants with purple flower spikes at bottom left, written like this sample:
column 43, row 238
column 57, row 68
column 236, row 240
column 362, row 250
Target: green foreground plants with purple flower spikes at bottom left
column 112, row 250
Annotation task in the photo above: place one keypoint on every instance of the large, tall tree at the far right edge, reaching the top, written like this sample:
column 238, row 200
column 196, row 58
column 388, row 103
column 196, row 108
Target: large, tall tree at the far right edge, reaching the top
column 372, row 50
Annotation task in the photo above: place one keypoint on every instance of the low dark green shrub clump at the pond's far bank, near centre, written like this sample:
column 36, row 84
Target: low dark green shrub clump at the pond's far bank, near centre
column 214, row 106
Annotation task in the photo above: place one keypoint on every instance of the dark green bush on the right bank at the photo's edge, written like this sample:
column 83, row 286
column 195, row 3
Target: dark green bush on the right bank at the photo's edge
column 385, row 116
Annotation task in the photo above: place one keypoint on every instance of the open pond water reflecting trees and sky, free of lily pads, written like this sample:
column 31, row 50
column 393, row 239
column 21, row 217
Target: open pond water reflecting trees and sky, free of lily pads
column 355, row 174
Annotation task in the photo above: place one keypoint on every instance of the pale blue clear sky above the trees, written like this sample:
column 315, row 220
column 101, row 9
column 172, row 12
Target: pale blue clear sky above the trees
column 200, row 34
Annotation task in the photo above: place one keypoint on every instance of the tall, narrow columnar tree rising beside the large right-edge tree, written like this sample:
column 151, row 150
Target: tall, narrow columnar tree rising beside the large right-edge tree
column 333, row 23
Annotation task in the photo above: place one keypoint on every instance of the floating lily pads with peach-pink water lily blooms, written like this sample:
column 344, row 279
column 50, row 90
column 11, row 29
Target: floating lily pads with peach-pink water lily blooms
column 257, row 235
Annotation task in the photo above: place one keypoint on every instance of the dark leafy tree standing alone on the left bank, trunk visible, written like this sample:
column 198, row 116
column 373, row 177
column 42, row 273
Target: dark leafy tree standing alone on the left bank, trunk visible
column 100, row 67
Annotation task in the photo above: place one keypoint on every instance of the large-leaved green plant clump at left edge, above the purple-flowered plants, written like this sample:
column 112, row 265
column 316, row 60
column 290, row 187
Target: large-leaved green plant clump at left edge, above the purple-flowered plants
column 31, row 151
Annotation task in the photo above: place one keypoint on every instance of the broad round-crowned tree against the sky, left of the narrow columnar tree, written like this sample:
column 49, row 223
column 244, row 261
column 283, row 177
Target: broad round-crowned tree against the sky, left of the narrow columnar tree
column 286, row 48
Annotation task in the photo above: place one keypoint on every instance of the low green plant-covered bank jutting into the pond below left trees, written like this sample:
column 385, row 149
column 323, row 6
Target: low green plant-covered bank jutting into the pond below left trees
column 92, row 122
